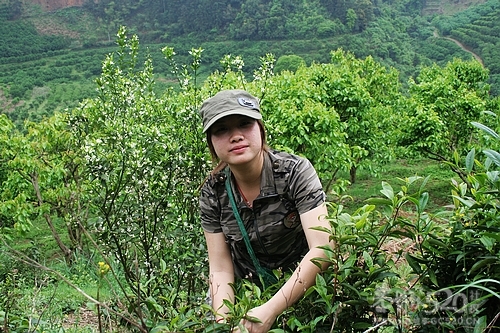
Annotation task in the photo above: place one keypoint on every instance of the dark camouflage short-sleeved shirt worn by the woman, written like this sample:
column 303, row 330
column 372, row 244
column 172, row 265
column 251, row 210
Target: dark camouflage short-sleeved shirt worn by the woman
column 289, row 187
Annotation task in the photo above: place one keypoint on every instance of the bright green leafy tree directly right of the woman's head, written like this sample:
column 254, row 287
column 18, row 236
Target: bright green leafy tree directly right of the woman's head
column 297, row 121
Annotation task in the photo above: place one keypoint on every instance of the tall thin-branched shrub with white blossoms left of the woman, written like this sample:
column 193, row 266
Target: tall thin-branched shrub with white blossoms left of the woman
column 145, row 159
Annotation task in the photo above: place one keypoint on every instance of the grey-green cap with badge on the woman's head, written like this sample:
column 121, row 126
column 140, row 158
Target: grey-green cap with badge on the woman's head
column 226, row 103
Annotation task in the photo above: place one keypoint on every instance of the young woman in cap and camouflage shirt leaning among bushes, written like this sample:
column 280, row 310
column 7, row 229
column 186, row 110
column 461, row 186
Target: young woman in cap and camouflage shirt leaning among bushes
column 278, row 197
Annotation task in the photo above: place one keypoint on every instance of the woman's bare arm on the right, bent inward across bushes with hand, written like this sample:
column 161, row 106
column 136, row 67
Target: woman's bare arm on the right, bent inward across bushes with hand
column 303, row 277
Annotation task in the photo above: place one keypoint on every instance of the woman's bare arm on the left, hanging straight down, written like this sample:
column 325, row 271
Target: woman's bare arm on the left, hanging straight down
column 221, row 272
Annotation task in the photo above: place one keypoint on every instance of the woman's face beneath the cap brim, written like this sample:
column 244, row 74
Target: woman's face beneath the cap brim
column 236, row 139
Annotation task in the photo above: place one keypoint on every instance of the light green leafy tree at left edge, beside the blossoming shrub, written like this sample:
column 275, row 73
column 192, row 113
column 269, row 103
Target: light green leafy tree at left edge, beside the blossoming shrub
column 41, row 178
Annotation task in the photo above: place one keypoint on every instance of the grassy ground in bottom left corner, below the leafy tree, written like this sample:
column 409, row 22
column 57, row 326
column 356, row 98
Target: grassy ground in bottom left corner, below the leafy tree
column 41, row 300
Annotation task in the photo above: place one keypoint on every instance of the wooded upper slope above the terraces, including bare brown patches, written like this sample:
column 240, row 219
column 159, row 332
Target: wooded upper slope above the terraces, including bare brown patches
column 227, row 19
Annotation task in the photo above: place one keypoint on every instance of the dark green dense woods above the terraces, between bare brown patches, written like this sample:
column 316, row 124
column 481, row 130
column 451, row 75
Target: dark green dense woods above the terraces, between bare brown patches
column 251, row 19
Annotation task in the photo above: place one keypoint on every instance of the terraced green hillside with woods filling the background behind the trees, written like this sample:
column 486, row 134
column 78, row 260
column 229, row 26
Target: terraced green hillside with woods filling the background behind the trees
column 48, row 60
